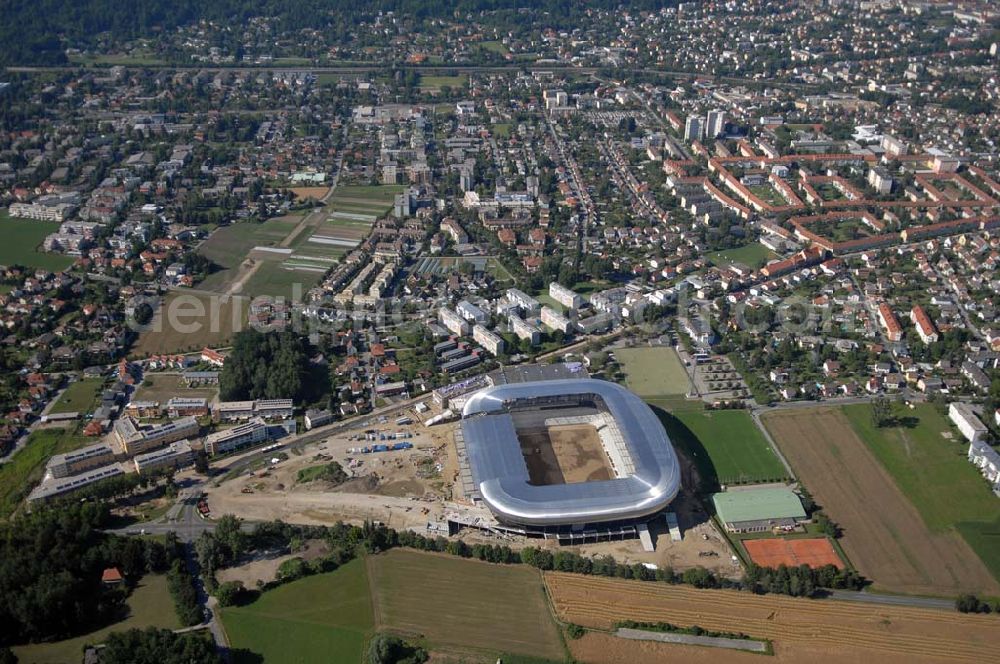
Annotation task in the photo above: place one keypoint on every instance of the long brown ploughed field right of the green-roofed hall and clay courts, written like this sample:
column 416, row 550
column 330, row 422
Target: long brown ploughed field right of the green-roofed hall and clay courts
column 884, row 535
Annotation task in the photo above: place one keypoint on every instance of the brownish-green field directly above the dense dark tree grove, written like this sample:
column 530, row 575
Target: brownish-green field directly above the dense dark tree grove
column 212, row 330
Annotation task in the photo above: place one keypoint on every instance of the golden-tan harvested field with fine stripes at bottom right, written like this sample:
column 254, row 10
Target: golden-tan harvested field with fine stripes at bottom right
column 800, row 629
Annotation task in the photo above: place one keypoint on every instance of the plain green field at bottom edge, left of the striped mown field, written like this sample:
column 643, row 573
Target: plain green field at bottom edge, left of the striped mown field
column 327, row 617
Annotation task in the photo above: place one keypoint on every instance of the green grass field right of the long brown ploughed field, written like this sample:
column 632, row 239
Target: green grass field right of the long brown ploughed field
column 927, row 459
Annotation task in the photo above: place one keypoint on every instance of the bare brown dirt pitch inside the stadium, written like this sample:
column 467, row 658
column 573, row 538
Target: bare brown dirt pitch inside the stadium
column 563, row 454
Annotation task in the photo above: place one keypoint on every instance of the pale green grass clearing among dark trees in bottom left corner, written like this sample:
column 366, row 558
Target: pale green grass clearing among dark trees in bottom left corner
column 149, row 605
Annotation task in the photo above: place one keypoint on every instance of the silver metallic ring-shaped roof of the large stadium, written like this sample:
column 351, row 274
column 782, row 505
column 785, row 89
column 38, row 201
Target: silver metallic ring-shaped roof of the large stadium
column 501, row 475
